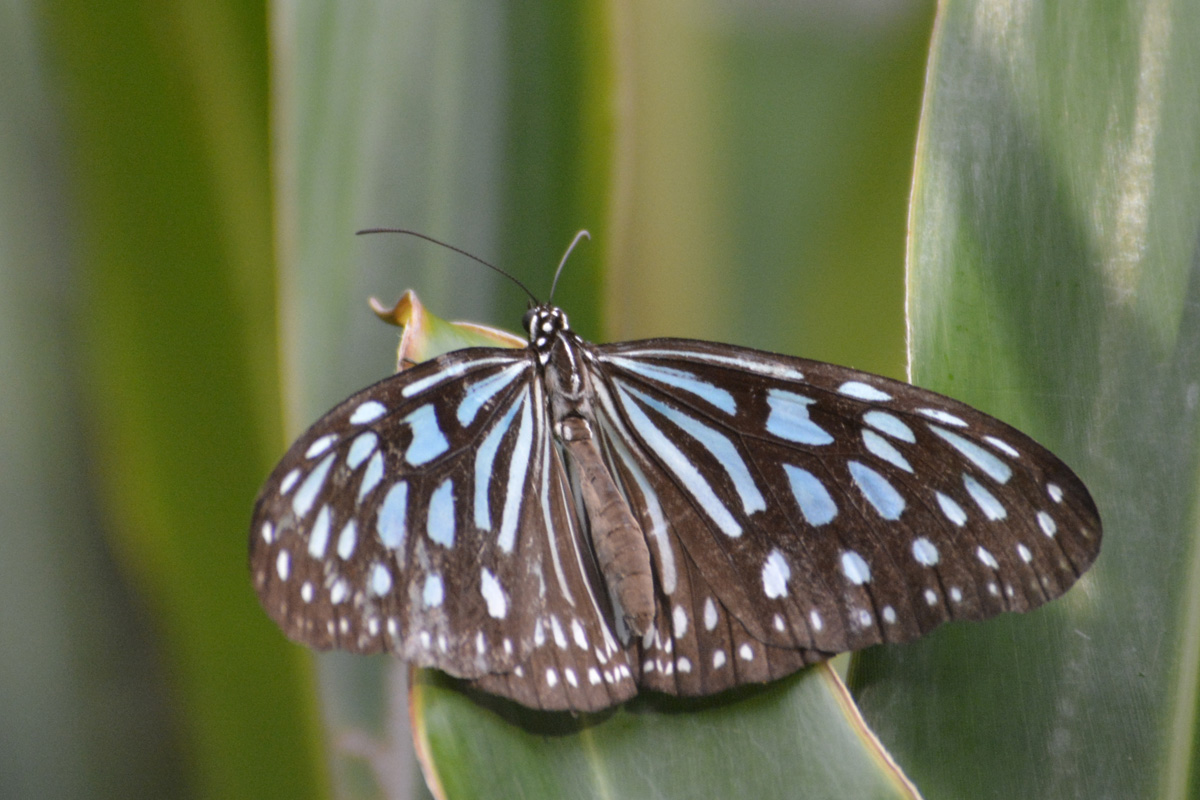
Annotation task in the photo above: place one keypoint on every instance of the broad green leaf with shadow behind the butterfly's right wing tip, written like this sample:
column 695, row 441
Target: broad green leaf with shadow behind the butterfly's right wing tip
column 1055, row 282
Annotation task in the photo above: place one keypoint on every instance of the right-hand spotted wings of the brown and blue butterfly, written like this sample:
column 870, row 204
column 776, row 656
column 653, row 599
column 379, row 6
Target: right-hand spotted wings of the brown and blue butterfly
column 799, row 509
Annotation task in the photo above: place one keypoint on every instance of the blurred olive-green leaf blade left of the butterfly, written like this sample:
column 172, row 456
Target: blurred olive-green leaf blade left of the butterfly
column 167, row 137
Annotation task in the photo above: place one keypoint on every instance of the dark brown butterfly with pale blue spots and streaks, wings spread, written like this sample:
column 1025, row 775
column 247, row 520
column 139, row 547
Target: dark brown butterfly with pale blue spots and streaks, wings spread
column 571, row 524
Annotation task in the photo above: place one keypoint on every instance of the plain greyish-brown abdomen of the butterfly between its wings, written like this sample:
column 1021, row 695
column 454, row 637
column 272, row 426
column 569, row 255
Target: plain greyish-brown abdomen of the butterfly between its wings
column 616, row 537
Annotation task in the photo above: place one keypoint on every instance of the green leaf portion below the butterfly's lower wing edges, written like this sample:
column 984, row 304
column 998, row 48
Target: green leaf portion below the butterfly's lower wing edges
column 659, row 748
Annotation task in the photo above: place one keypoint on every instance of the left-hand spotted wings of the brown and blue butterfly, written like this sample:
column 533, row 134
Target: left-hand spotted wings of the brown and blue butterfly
column 429, row 516
